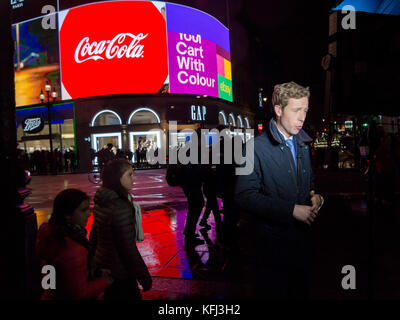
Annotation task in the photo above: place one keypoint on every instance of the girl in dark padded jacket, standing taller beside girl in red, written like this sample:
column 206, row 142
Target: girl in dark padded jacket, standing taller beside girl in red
column 116, row 228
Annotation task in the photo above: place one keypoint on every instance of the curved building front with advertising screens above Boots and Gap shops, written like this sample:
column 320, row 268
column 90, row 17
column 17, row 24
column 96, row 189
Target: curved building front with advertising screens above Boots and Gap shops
column 124, row 81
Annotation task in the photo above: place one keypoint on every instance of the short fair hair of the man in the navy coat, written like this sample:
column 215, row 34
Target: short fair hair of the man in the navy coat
column 283, row 92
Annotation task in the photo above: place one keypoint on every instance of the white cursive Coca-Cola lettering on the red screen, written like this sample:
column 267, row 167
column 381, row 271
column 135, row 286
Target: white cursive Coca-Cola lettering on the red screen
column 111, row 48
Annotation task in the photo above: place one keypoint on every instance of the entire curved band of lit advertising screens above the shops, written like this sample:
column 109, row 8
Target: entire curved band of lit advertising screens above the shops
column 122, row 47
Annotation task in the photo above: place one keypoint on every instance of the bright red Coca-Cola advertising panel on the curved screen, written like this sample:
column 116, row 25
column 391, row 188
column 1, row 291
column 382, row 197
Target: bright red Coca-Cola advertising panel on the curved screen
column 114, row 47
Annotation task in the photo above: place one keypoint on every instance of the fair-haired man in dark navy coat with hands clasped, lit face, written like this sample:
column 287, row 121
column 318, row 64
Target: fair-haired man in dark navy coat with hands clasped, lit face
column 280, row 200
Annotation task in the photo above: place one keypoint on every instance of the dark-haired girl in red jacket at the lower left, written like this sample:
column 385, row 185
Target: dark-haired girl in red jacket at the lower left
column 62, row 243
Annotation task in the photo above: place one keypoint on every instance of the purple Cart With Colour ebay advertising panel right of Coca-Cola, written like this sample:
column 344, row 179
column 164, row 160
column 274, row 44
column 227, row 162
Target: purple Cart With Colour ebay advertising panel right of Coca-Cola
column 198, row 53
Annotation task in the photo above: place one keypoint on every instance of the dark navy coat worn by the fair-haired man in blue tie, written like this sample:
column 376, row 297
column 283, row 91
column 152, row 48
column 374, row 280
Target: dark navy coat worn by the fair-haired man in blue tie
column 271, row 191
